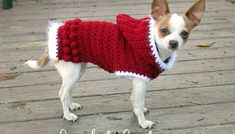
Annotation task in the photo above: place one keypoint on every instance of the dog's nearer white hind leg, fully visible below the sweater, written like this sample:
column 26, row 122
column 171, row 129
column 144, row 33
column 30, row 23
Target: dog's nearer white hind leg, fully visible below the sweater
column 70, row 74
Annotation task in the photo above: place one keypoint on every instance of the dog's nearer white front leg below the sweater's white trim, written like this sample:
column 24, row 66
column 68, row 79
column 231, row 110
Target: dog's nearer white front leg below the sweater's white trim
column 137, row 98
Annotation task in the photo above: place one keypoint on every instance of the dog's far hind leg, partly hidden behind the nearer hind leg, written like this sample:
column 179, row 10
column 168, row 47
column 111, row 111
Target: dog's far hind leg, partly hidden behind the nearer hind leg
column 72, row 105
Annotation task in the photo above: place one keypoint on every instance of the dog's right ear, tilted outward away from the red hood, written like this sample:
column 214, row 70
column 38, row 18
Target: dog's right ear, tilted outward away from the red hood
column 196, row 12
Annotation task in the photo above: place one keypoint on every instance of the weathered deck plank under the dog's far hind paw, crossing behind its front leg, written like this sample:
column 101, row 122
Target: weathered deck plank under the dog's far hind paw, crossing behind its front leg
column 24, row 111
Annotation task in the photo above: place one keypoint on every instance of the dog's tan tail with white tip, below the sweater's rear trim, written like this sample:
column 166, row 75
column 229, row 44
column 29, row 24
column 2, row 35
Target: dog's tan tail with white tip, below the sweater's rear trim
column 41, row 62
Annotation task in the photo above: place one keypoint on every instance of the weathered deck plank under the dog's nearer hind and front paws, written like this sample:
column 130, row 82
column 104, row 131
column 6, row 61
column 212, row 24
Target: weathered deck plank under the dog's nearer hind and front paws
column 175, row 118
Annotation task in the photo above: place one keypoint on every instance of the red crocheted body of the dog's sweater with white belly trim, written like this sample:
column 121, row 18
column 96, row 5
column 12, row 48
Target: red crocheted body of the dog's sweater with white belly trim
column 122, row 48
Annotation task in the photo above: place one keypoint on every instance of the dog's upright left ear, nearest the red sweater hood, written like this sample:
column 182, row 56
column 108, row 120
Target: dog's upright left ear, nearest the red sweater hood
column 159, row 8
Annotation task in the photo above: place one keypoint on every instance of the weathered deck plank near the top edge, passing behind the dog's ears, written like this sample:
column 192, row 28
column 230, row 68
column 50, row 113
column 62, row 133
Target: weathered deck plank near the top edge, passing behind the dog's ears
column 114, row 8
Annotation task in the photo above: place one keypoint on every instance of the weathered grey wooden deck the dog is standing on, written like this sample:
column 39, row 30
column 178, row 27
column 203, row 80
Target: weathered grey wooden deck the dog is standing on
column 196, row 97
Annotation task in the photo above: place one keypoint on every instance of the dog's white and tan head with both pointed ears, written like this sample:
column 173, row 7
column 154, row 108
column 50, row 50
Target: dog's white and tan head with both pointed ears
column 172, row 30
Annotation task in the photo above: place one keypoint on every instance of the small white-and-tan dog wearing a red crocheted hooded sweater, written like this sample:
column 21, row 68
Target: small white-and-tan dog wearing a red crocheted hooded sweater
column 137, row 49
